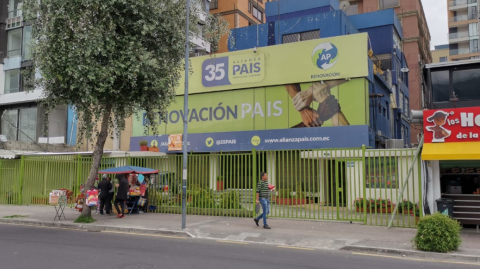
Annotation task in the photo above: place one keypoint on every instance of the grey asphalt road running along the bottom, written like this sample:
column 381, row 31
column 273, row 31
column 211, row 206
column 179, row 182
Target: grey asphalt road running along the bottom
column 29, row 247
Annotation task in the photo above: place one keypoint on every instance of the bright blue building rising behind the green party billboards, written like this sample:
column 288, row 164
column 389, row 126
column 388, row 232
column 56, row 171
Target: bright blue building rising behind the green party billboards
column 295, row 21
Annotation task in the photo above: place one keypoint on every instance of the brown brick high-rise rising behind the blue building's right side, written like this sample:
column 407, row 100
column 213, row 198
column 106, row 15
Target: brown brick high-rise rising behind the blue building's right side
column 416, row 42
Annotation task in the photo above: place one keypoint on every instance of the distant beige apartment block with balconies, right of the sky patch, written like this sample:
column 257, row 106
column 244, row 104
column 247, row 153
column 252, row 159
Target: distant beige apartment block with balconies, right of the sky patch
column 463, row 29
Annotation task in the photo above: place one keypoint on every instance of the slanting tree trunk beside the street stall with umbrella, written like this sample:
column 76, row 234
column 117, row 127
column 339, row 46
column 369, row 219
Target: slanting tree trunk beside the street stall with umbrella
column 97, row 157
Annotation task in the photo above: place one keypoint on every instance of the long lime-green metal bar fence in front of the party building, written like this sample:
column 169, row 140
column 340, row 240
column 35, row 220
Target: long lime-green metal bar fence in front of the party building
column 357, row 185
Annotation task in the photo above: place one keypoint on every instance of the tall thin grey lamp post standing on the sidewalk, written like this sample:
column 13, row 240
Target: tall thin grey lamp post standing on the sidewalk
column 185, row 114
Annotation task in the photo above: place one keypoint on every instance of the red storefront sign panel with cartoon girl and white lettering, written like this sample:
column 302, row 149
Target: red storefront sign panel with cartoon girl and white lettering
column 452, row 125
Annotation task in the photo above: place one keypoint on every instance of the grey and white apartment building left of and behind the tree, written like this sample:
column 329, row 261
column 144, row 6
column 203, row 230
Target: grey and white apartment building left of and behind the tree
column 21, row 117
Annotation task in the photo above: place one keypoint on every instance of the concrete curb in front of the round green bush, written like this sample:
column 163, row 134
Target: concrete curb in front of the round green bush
column 414, row 254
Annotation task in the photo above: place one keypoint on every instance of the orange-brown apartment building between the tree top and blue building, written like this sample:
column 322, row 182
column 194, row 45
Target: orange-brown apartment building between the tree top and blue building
column 238, row 13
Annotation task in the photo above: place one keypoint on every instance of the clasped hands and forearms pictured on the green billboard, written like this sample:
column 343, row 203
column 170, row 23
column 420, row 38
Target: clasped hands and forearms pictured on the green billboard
column 328, row 107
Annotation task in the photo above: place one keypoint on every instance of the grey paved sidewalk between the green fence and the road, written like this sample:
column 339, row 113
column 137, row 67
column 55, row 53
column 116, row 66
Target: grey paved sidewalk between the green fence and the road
column 296, row 233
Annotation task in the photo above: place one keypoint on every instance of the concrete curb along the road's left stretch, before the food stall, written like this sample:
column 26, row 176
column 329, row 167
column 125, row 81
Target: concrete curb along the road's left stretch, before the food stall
column 97, row 228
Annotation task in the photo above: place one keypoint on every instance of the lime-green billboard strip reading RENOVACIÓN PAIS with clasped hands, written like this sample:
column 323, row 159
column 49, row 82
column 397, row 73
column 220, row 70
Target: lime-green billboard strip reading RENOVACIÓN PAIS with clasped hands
column 314, row 104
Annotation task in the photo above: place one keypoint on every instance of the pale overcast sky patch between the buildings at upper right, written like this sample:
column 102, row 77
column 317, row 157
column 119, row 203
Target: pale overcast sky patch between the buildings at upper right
column 436, row 12
